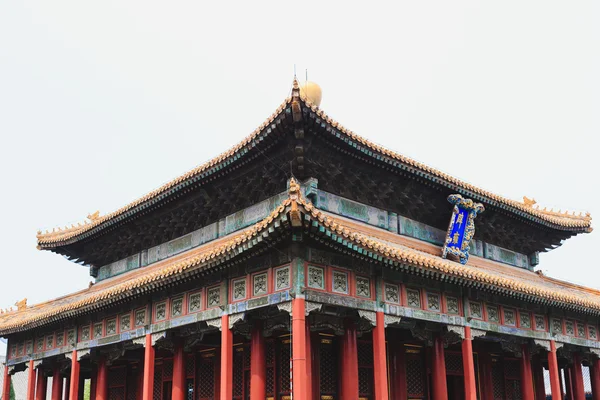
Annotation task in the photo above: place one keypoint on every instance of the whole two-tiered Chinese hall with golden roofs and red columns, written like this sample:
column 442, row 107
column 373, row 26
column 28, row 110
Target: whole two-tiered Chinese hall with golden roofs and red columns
column 308, row 263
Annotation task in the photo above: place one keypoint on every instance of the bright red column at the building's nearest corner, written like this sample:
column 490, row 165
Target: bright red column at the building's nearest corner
column 299, row 388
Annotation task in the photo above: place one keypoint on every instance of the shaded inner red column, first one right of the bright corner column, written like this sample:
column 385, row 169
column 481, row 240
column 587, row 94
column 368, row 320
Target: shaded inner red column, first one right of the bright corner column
column 349, row 363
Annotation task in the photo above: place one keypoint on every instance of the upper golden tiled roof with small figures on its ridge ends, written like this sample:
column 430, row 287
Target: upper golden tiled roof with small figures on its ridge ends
column 566, row 221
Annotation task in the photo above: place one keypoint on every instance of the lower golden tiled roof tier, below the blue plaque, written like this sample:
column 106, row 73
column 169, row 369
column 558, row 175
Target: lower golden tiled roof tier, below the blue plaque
column 393, row 250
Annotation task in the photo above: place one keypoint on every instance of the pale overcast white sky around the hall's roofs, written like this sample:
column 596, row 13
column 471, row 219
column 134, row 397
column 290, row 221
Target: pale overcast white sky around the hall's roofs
column 101, row 102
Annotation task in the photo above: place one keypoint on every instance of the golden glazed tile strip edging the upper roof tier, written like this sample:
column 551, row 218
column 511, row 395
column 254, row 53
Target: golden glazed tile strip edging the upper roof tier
column 560, row 219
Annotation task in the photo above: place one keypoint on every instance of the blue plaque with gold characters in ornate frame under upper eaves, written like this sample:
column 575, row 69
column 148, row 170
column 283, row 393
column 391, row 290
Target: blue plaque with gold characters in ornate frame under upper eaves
column 461, row 228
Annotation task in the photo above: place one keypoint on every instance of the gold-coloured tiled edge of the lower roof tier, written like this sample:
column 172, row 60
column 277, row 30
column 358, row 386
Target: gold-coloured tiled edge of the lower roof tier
column 197, row 257
